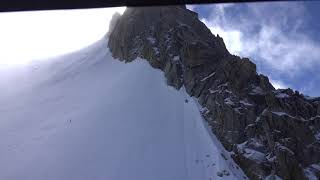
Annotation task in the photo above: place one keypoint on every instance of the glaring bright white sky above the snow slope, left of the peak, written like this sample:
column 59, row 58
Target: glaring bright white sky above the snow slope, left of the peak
column 27, row 36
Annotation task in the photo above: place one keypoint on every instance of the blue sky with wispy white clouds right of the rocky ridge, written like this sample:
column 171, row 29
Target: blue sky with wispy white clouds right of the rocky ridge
column 282, row 38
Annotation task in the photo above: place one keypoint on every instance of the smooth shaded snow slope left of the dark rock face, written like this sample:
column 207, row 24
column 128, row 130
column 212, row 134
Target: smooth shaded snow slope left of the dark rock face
column 87, row 116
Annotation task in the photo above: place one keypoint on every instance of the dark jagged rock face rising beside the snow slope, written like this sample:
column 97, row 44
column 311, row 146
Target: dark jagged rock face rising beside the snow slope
column 269, row 131
